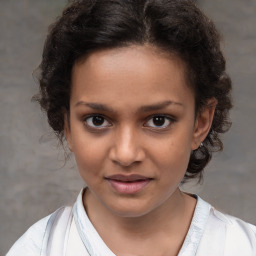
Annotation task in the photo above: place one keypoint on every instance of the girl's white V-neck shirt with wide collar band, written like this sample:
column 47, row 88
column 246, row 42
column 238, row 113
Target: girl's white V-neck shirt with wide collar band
column 211, row 233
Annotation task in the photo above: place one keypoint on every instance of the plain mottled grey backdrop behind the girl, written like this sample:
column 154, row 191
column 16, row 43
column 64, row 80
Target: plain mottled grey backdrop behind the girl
column 33, row 181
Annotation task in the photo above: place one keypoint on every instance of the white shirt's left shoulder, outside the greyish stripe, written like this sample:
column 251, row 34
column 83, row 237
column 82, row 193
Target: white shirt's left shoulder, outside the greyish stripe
column 31, row 242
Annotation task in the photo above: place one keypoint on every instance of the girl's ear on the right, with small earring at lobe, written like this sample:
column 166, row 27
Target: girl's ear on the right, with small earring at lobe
column 203, row 123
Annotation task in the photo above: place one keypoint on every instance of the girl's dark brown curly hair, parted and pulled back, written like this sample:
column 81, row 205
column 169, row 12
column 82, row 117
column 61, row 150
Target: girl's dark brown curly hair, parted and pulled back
column 174, row 26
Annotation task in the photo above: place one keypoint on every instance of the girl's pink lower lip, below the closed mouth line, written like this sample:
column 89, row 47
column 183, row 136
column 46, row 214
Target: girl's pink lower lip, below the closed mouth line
column 128, row 187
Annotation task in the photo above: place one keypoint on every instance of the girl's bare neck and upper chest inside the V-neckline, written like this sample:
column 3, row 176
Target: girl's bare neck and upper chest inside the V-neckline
column 166, row 226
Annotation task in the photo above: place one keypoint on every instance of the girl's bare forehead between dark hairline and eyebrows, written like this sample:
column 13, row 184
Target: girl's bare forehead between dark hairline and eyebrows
column 123, row 73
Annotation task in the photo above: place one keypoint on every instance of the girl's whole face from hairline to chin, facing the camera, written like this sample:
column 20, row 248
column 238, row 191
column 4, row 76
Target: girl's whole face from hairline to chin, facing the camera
column 132, row 127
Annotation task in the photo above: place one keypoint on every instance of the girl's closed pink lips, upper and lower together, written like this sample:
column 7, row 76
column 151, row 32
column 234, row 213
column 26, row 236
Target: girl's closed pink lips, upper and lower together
column 128, row 184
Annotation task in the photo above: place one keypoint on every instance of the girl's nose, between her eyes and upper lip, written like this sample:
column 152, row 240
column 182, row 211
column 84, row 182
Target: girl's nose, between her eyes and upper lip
column 126, row 149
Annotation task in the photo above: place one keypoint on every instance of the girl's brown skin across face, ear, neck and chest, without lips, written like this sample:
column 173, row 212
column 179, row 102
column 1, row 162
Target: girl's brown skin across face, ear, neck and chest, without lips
column 126, row 88
